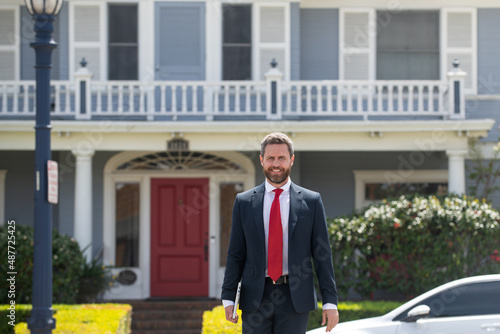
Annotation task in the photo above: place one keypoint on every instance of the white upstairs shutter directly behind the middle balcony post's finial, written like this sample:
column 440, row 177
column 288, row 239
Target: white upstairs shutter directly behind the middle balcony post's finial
column 272, row 39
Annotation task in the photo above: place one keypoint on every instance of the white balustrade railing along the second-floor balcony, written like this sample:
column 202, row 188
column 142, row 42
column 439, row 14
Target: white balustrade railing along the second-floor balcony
column 273, row 98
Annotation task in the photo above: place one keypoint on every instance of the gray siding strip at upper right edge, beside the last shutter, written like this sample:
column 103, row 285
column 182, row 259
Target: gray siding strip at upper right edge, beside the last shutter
column 488, row 43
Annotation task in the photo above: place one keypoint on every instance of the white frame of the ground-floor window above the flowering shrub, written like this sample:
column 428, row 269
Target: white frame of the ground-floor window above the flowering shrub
column 362, row 177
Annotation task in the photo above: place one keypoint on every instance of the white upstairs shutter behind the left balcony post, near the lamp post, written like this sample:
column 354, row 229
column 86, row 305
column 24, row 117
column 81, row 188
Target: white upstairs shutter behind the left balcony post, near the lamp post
column 87, row 39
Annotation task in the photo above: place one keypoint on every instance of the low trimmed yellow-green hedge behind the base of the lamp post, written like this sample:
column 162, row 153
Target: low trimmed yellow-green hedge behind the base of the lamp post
column 76, row 319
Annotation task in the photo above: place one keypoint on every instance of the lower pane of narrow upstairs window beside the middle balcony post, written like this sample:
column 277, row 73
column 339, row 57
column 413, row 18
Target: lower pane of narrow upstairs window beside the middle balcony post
column 237, row 62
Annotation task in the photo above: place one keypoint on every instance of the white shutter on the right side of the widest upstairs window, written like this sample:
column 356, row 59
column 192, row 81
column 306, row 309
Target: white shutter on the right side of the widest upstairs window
column 459, row 42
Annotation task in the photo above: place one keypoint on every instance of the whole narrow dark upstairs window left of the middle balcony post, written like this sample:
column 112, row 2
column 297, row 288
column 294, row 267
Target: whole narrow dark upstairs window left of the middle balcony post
column 237, row 42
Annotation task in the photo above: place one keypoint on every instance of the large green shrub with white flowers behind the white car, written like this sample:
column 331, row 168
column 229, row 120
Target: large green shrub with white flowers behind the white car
column 415, row 243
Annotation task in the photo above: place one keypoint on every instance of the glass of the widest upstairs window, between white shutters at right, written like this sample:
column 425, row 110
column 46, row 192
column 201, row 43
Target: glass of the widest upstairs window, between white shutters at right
column 408, row 45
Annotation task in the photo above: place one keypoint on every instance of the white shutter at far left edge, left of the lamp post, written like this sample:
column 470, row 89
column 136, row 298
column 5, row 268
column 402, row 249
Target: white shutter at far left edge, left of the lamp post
column 9, row 49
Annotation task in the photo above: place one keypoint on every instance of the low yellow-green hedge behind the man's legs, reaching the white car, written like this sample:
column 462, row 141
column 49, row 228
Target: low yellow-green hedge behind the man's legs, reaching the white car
column 214, row 321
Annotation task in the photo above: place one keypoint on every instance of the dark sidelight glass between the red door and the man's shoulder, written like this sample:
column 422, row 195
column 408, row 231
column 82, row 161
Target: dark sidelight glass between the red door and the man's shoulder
column 228, row 193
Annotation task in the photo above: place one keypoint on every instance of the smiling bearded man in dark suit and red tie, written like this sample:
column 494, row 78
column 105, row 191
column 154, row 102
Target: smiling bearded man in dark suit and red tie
column 273, row 260
